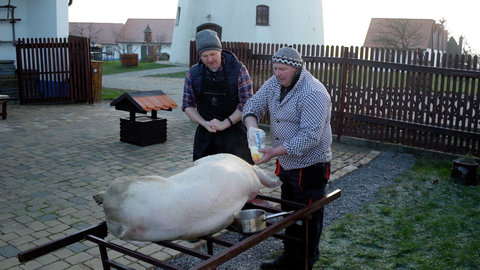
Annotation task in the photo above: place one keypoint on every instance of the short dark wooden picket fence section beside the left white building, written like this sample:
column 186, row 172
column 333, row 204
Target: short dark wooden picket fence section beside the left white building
column 54, row 70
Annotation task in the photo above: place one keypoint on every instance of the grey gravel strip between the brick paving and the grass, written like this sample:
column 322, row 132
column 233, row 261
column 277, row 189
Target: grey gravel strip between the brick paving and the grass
column 357, row 188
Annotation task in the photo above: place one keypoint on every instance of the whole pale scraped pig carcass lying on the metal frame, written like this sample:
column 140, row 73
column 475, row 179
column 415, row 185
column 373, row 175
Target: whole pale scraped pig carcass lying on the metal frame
column 198, row 201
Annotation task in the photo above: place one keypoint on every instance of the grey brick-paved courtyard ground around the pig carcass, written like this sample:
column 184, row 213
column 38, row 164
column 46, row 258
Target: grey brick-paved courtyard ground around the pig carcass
column 54, row 158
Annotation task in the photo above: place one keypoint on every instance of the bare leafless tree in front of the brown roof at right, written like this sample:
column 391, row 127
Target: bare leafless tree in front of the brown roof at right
column 399, row 34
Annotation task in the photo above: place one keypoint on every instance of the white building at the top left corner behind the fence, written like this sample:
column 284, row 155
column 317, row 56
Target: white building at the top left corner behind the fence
column 31, row 19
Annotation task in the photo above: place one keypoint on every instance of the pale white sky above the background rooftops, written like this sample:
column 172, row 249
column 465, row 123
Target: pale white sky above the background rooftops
column 345, row 21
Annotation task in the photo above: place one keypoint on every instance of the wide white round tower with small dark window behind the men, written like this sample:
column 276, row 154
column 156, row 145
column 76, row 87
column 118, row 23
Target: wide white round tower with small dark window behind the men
column 261, row 21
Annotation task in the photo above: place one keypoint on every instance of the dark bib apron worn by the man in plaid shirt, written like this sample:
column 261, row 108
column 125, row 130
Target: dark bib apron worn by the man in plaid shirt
column 216, row 101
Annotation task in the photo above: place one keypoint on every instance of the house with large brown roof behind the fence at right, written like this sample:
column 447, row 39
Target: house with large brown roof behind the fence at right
column 406, row 34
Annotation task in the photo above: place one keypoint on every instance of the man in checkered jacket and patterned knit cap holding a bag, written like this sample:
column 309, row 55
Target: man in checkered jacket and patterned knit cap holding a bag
column 300, row 111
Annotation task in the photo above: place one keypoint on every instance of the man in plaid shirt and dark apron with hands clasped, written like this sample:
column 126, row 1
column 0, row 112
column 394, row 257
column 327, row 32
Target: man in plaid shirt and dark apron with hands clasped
column 215, row 91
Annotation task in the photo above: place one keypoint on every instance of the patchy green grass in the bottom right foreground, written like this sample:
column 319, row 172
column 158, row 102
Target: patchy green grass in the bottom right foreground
column 423, row 221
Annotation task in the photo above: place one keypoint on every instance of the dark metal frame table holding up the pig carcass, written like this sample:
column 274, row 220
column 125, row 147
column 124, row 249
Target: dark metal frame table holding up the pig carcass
column 98, row 232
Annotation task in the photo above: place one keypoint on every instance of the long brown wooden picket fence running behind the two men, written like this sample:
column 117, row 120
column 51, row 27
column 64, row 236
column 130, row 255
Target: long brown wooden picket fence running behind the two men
column 423, row 100
